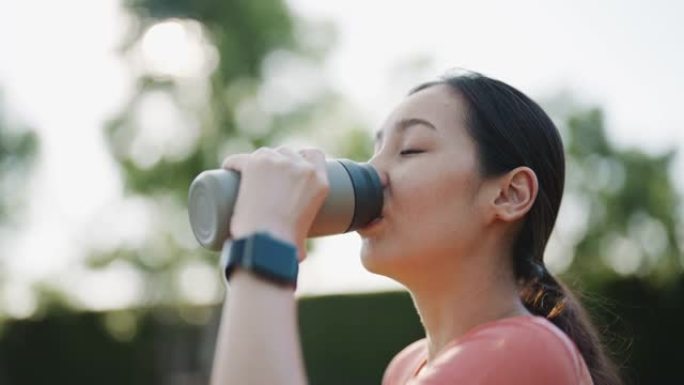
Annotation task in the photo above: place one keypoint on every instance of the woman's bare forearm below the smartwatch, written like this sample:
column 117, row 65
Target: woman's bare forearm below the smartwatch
column 258, row 341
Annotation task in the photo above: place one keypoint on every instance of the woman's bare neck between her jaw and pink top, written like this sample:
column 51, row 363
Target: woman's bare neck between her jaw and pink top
column 453, row 301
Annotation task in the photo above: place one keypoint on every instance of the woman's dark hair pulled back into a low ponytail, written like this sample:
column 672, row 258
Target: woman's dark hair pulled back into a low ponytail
column 511, row 130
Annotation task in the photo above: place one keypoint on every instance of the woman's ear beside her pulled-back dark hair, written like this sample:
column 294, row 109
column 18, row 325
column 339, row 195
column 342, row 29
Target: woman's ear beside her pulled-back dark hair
column 517, row 192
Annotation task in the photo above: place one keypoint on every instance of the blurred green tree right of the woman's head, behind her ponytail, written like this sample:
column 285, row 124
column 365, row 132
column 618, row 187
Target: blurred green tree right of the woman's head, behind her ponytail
column 620, row 214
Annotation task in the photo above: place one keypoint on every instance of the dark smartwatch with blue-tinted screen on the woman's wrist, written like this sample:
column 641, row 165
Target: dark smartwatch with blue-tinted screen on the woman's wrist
column 265, row 256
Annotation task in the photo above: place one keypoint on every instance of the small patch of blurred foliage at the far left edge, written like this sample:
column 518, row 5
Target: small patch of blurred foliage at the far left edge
column 18, row 149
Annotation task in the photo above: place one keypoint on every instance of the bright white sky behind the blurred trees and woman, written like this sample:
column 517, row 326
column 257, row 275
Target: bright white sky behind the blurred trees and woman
column 59, row 74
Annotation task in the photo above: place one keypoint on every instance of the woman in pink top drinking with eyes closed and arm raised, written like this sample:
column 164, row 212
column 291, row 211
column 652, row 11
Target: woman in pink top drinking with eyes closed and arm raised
column 473, row 175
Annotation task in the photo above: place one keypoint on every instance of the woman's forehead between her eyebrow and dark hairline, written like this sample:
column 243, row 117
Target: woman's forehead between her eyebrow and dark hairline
column 439, row 105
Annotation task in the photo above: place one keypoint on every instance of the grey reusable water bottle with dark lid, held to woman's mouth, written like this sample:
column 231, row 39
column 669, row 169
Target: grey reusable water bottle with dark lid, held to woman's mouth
column 355, row 199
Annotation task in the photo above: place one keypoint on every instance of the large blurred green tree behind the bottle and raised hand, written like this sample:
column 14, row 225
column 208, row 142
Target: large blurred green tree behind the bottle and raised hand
column 213, row 78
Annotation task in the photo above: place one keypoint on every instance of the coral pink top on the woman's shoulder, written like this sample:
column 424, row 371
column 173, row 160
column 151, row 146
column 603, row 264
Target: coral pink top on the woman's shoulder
column 523, row 350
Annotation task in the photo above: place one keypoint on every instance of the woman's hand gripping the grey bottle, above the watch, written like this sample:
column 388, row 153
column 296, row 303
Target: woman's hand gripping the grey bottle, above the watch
column 280, row 192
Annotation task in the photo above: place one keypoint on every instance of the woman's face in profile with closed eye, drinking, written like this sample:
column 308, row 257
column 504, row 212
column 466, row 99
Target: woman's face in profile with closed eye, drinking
column 432, row 212
